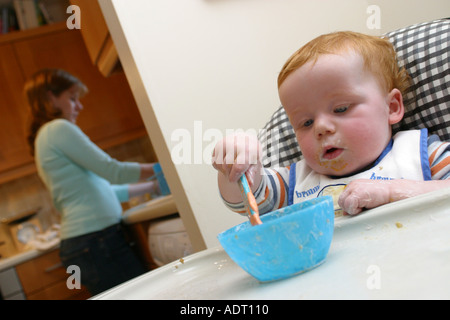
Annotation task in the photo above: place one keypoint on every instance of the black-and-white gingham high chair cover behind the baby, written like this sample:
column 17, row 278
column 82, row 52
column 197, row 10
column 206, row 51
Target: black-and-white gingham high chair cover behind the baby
column 424, row 51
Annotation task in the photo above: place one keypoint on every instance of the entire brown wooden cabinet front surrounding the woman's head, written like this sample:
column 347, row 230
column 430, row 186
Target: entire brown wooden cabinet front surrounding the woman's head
column 110, row 116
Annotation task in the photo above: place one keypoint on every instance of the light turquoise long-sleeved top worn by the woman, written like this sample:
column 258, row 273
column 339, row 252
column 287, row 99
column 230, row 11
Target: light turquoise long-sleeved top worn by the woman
column 79, row 176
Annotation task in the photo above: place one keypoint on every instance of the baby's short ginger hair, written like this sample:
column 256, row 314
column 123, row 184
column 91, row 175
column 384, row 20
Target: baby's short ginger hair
column 378, row 54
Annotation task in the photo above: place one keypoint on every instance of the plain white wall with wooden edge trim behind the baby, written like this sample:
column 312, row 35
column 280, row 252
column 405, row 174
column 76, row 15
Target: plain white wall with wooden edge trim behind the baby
column 214, row 63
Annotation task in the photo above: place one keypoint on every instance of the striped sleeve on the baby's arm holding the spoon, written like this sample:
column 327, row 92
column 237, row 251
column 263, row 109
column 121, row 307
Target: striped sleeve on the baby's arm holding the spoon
column 271, row 193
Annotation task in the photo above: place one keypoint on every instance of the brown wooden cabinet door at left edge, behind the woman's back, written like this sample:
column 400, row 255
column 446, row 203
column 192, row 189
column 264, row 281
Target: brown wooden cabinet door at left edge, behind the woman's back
column 14, row 151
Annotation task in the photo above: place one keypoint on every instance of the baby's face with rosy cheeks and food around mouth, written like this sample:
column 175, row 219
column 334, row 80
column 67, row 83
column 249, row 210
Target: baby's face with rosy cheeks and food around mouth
column 339, row 112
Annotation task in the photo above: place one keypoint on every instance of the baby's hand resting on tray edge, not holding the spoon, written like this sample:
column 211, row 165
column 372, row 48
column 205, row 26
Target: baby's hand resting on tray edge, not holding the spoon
column 364, row 194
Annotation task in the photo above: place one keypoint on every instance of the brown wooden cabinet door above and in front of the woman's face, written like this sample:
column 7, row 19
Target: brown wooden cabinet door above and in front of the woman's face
column 110, row 114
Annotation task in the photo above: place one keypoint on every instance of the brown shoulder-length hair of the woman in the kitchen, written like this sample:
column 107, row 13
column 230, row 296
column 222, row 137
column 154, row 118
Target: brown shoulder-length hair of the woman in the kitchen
column 37, row 90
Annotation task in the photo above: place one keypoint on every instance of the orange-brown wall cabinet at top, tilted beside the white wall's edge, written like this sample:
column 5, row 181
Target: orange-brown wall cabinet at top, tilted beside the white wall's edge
column 99, row 44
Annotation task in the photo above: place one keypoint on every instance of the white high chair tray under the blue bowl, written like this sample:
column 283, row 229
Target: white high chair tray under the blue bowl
column 397, row 251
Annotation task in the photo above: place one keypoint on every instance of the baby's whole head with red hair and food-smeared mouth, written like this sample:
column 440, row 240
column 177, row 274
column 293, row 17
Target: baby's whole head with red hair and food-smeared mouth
column 342, row 92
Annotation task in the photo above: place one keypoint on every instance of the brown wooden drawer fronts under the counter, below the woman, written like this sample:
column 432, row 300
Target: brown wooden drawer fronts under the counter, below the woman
column 44, row 278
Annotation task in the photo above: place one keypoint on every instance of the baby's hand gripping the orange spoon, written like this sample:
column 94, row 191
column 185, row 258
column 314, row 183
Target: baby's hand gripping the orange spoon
column 237, row 154
